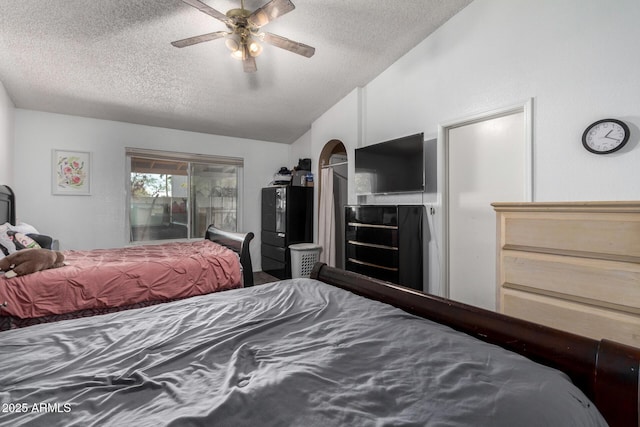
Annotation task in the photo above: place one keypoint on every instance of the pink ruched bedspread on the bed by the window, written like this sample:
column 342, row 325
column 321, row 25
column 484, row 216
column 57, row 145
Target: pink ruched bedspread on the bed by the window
column 116, row 277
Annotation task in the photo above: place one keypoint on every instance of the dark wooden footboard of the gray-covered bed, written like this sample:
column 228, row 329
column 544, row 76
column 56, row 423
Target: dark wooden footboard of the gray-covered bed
column 606, row 371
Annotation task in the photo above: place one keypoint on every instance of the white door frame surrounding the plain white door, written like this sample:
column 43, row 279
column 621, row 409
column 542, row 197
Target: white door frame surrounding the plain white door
column 525, row 107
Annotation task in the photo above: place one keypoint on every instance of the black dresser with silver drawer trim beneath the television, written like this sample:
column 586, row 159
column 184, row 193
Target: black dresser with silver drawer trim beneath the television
column 385, row 242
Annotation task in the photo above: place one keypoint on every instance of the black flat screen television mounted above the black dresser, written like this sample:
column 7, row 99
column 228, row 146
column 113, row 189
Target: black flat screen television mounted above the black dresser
column 395, row 166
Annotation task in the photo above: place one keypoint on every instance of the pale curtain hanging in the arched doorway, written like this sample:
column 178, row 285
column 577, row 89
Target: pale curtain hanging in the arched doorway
column 326, row 219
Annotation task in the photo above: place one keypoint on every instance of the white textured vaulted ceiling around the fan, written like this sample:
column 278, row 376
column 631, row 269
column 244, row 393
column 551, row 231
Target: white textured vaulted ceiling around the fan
column 112, row 59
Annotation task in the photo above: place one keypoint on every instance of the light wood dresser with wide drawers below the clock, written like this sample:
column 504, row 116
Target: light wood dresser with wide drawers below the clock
column 573, row 266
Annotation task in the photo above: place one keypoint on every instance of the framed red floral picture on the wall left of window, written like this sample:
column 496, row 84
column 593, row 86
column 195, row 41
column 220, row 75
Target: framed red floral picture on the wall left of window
column 71, row 173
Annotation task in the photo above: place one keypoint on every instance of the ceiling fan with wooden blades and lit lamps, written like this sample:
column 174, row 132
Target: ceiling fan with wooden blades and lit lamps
column 244, row 35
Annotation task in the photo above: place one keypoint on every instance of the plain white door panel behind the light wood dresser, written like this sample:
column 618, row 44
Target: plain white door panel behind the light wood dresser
column 487, row 161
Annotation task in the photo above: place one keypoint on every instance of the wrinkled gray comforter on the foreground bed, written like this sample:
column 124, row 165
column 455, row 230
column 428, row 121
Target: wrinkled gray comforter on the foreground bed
column 292, row 353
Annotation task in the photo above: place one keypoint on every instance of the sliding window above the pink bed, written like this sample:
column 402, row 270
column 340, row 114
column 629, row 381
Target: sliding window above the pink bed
column 177, row 196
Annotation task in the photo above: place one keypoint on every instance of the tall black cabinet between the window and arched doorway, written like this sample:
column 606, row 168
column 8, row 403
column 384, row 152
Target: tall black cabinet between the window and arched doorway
column 287, row 218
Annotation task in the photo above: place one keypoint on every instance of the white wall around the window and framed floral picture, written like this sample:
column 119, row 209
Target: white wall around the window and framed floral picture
column 97, row 221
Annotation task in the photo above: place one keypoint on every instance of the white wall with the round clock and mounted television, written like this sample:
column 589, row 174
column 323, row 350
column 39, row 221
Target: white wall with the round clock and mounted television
column 575, row 58
